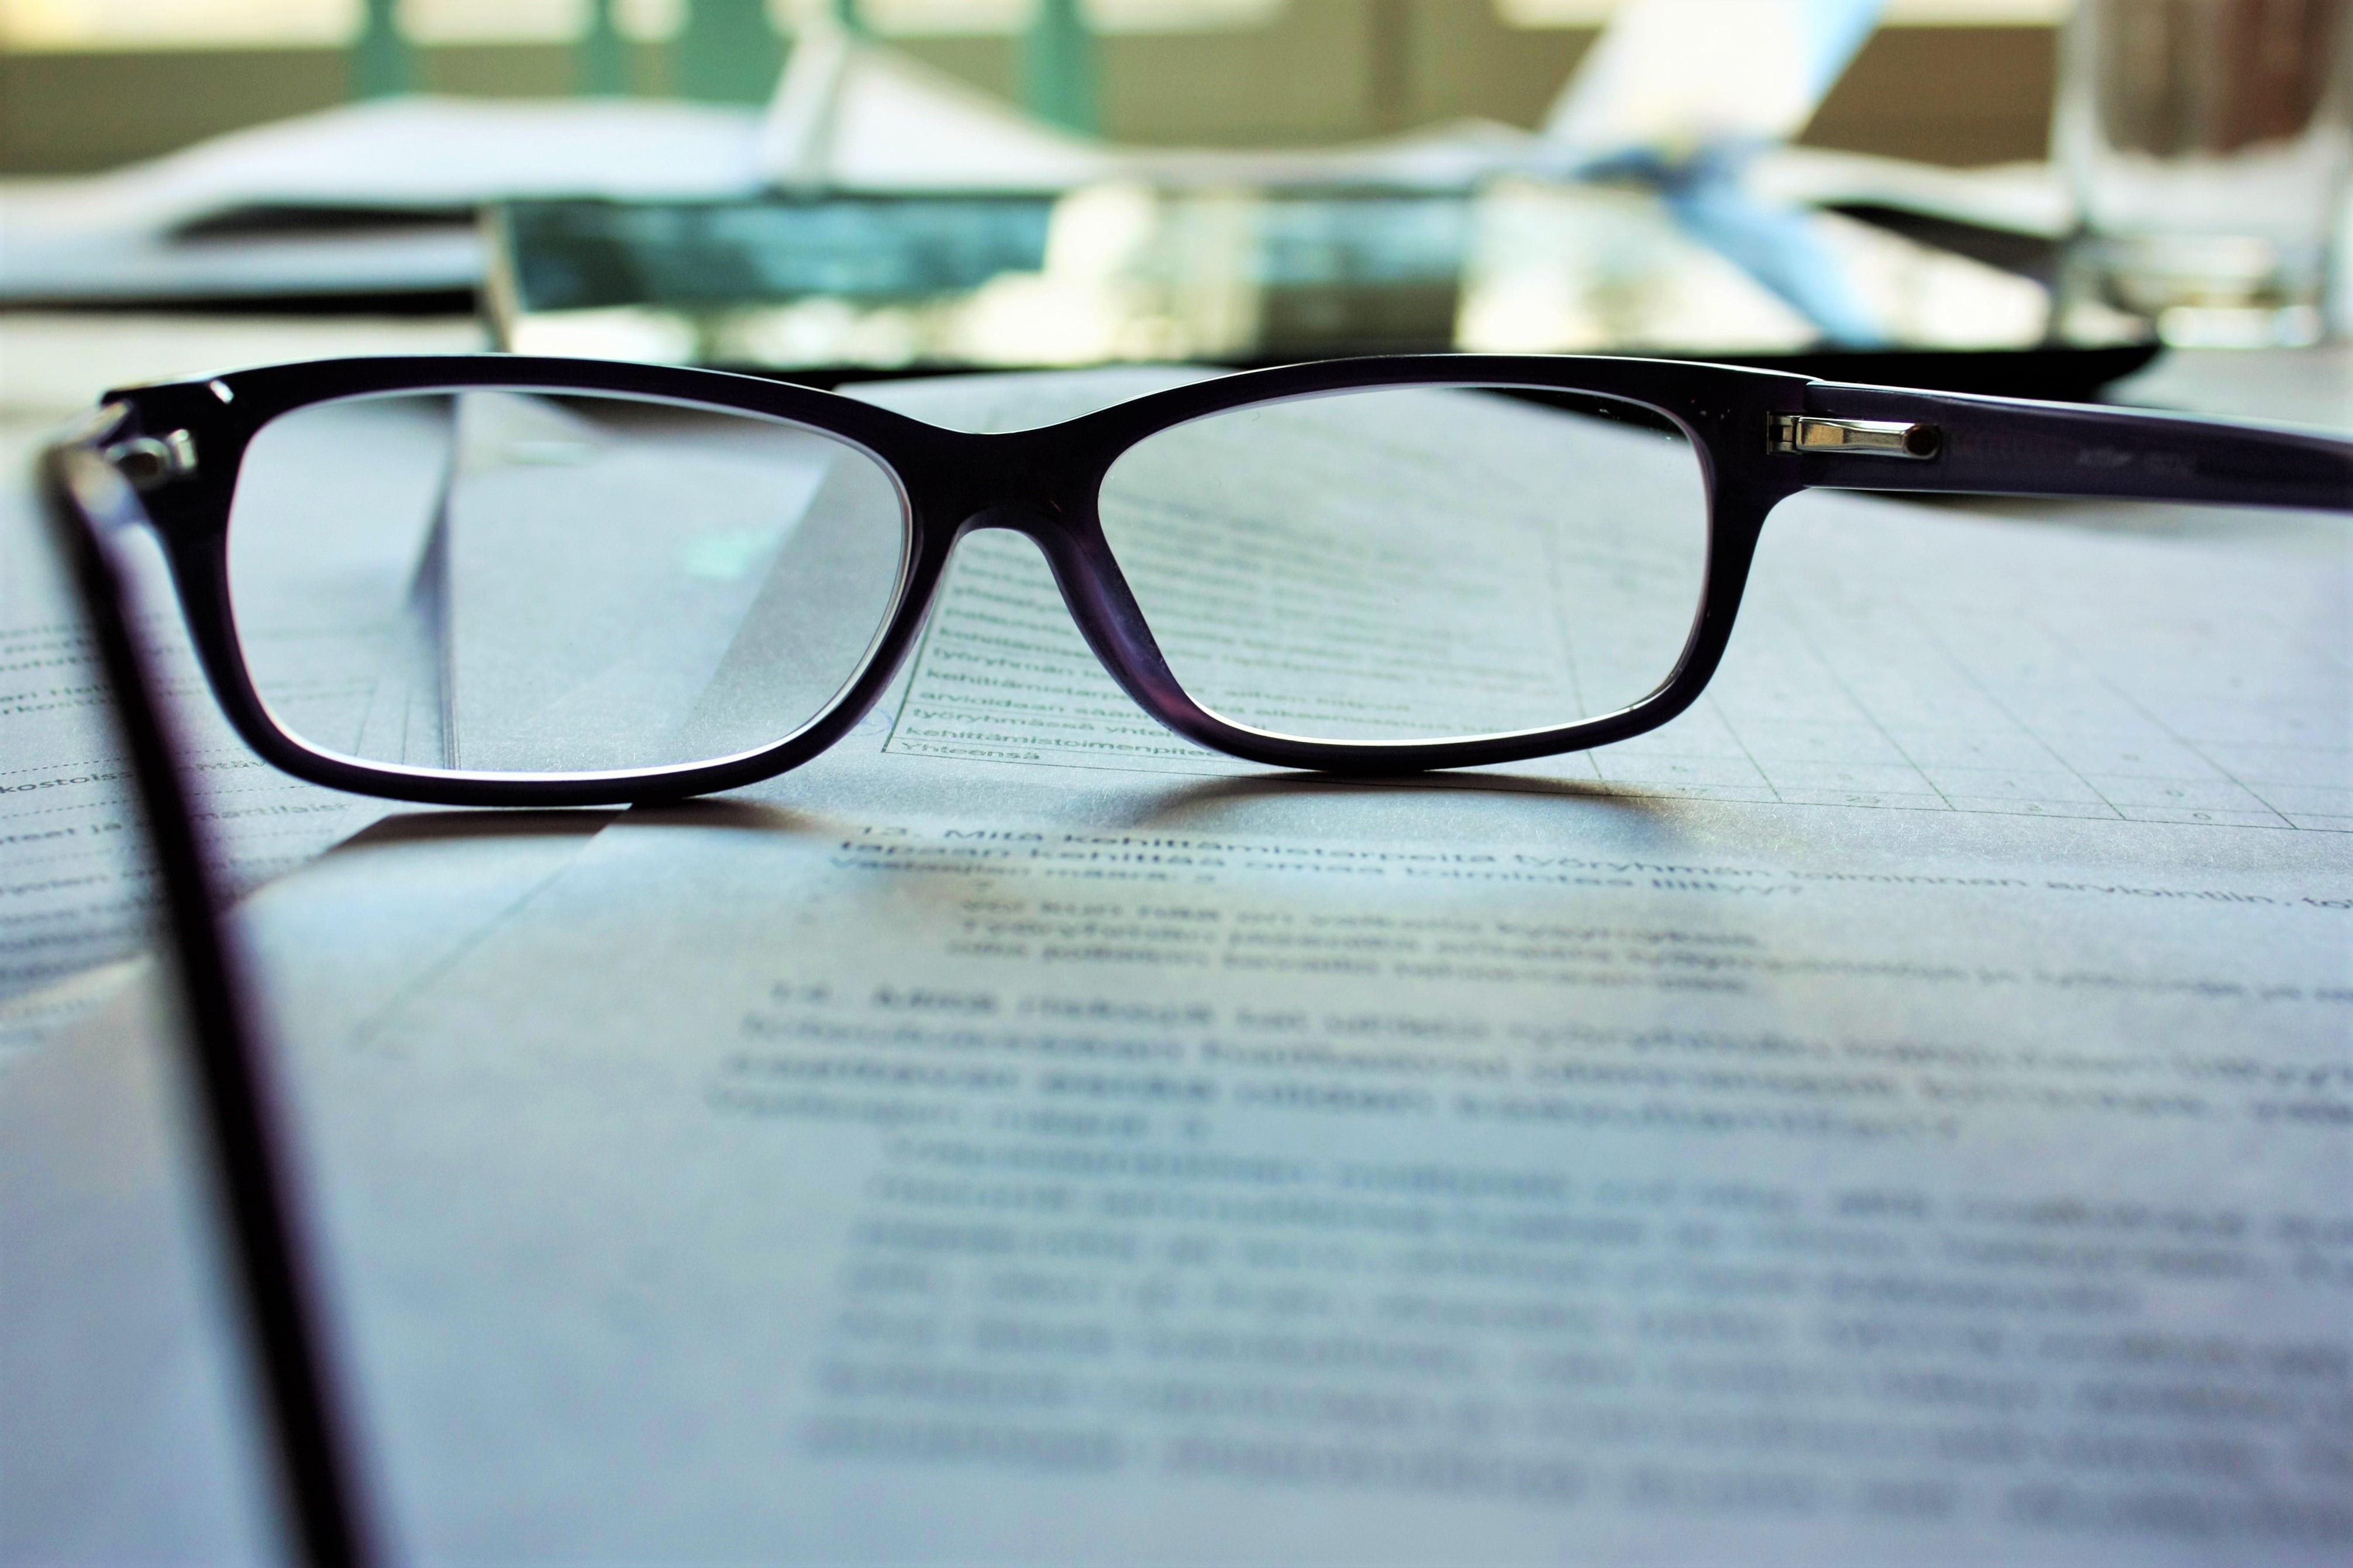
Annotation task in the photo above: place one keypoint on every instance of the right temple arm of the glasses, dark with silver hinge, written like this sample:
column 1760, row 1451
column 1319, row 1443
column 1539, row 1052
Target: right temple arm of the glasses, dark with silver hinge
column 2008, row 446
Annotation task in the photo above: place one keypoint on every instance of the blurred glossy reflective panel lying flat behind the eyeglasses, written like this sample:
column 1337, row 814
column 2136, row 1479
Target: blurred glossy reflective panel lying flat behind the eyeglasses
column 1124, row 272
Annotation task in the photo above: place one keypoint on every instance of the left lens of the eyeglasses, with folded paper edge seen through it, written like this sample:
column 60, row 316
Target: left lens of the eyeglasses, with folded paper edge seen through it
column 554, row 583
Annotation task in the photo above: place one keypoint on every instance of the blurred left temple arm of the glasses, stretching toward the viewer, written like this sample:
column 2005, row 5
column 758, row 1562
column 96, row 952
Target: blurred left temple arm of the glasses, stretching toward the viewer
column 84, row 500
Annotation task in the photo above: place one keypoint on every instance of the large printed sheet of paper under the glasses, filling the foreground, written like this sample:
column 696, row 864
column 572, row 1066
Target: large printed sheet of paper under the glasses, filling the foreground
column 1893, row 1115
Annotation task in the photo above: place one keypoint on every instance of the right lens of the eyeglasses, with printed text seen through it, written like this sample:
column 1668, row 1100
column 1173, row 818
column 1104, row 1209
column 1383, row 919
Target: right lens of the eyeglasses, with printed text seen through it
column 1415, row 564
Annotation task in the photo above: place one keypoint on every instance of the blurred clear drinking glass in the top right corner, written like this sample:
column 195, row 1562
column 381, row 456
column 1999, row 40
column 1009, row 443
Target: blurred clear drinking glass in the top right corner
column 2206, row 142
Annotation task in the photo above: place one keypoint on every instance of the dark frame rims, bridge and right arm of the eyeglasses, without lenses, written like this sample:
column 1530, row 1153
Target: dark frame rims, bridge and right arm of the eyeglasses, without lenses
column 1759, row 437
